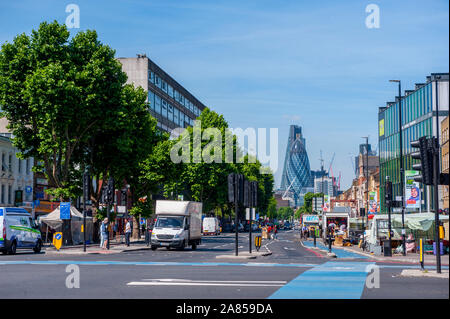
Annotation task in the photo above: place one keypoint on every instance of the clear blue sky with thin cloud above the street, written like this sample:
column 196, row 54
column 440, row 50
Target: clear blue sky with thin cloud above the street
column 272, row 63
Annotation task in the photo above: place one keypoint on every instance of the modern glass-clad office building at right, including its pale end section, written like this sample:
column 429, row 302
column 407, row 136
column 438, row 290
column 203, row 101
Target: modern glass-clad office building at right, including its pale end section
column 418, row 119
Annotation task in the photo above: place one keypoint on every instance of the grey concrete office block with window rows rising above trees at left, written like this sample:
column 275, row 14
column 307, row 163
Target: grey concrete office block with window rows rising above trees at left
column 170, row 103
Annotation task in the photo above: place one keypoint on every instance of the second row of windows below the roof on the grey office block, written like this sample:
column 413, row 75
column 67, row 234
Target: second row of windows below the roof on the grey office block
column 168, row 111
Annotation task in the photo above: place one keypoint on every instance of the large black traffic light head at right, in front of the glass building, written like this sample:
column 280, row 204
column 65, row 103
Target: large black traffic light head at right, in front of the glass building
column 425, row 155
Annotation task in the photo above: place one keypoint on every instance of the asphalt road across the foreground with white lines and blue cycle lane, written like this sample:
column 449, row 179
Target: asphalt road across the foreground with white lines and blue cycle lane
column 291, row 272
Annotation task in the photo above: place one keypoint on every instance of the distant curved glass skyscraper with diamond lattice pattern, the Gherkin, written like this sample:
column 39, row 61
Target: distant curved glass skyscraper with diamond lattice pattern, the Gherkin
column 296, row 171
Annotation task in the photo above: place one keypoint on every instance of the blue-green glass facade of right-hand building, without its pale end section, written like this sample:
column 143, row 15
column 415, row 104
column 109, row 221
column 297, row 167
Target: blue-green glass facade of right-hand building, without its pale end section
column 417, row 121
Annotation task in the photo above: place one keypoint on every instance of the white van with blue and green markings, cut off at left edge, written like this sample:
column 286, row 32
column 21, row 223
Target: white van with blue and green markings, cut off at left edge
column 18, row 231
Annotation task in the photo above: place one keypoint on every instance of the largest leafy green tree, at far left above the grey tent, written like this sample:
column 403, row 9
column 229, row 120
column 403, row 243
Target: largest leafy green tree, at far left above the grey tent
column 61, row 94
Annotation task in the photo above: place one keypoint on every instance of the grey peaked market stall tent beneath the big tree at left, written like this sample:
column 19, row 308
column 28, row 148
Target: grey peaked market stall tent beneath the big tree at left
column 54, row 221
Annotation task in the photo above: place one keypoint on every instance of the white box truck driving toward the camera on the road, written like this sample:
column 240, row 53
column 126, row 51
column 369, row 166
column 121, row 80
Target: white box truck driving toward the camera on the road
column 178, row 224
